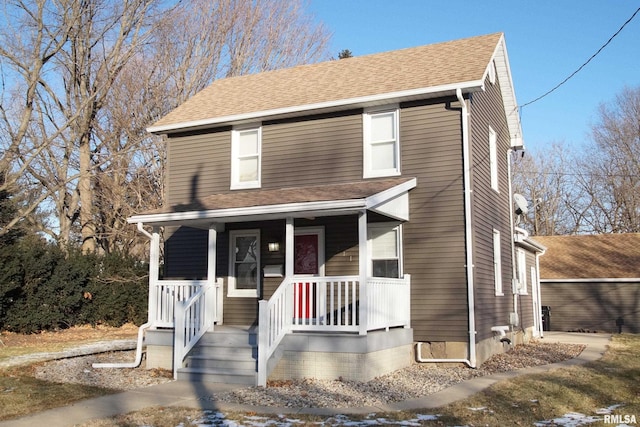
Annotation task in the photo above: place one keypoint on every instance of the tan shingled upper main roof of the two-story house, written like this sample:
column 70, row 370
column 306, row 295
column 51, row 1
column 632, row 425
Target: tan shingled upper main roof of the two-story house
column 421, row 67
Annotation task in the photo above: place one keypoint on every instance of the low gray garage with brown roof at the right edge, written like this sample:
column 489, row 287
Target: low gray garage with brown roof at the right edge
column 592, row 283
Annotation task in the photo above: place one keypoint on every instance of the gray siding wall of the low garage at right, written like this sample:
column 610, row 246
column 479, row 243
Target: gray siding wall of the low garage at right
column 593, row 306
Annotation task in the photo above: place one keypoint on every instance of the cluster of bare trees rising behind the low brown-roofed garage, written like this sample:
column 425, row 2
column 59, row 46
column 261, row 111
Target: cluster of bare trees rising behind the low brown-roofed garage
column 596, row 189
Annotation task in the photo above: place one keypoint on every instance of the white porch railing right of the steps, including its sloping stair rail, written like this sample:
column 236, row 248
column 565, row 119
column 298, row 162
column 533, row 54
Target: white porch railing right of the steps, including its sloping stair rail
column 329, row 304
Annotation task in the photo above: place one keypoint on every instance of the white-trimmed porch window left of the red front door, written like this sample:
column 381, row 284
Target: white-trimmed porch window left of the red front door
column 244, row 263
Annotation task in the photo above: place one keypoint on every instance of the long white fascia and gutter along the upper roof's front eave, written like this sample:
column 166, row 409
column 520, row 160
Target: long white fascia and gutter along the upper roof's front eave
column 470, row 86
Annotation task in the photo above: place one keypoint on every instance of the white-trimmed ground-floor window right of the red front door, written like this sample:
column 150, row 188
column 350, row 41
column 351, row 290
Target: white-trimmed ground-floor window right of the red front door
column 385, row 249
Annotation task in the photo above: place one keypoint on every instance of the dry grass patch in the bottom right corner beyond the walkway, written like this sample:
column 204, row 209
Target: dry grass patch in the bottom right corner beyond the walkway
column 615, row 379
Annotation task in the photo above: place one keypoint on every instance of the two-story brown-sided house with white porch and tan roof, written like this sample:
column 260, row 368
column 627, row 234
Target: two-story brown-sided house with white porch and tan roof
column 342, row 219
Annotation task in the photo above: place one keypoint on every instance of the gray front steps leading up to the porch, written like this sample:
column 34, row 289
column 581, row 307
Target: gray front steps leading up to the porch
column 226, row 355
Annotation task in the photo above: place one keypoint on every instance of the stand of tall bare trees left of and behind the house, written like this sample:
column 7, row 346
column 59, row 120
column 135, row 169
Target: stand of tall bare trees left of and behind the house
column 81, row 80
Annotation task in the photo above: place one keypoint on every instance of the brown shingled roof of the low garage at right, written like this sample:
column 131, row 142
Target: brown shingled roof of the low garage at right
column 590, row 257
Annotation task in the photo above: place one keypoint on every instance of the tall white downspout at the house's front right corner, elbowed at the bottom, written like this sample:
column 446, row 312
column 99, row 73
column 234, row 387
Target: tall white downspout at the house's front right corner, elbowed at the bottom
column 466, row 160
